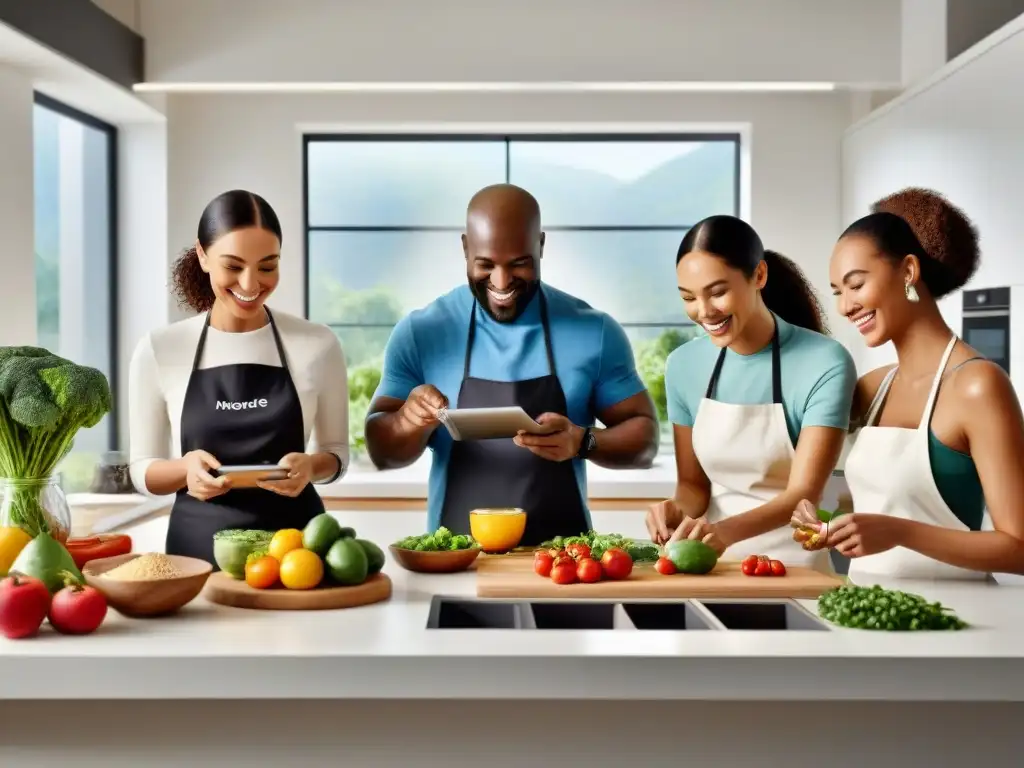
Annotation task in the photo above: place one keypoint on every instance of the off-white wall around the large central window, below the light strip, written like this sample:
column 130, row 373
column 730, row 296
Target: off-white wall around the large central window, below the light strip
column 220, row 143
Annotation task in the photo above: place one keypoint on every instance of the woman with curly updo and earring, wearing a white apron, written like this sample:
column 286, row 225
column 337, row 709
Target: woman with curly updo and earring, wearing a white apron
column 942, row 432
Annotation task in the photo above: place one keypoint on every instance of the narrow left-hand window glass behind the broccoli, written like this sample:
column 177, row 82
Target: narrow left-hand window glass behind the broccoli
column 76, row 276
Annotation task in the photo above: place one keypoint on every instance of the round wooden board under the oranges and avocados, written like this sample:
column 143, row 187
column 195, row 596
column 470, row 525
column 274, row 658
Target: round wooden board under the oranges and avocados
column 222, row 589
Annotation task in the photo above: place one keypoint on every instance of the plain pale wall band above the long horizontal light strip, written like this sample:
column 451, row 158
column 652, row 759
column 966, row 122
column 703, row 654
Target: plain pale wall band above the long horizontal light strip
column 456, row 40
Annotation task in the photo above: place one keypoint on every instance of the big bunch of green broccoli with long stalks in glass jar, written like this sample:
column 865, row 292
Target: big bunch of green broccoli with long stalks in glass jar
column 45, row 401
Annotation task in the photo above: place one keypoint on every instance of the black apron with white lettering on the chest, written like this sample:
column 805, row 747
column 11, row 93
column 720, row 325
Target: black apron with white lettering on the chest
column 269, row 428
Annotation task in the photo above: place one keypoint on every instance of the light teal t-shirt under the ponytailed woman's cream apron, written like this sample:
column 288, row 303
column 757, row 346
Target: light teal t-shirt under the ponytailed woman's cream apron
column 819, row 379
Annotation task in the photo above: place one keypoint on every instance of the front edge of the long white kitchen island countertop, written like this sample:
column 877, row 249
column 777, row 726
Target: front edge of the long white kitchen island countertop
column 681, row 678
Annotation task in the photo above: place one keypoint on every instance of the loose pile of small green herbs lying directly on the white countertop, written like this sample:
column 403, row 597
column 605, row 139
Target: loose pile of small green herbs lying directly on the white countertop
column 879, row 609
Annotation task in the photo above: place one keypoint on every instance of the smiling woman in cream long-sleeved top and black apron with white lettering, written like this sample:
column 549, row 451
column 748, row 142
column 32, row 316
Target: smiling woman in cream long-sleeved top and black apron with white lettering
column 236, row 386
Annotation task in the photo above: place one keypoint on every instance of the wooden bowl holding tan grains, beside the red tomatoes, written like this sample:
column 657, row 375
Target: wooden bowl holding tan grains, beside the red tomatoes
column 150, row 599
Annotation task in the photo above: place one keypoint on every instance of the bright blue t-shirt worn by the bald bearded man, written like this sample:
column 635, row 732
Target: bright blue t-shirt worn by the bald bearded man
column 593, row 361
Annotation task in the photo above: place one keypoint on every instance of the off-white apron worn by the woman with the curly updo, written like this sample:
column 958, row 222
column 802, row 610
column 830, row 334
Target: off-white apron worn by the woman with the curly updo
column 889, row 473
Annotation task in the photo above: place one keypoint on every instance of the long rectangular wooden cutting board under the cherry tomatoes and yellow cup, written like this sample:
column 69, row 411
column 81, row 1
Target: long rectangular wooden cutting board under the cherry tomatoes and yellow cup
column 515, row 578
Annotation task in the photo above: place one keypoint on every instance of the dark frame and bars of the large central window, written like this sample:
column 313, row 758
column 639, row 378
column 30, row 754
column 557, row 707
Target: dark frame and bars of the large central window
column 507, row 139
